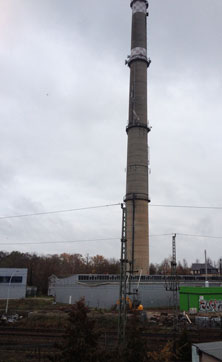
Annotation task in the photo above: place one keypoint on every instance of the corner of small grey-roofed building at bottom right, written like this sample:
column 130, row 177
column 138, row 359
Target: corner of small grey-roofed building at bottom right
column 207, row 352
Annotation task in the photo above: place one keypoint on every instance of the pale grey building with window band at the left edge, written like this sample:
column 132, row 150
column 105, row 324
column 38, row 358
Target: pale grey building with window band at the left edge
column 13, row 282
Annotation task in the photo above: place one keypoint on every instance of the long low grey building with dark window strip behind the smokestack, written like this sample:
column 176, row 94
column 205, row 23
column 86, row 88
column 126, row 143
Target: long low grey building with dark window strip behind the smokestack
column 102, row 290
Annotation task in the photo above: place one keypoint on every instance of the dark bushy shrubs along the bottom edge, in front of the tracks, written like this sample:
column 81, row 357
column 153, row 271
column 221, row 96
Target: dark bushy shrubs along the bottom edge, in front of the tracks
column 82, row 342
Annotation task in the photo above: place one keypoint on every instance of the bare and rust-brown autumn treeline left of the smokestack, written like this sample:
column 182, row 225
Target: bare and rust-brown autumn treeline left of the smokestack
column 41, row 267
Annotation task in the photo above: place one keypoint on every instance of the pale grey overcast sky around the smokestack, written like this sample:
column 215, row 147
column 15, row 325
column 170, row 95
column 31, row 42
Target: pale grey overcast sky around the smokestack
column 63, row 112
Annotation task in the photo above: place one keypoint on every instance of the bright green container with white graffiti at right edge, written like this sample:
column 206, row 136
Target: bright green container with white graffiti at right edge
column 202, row 298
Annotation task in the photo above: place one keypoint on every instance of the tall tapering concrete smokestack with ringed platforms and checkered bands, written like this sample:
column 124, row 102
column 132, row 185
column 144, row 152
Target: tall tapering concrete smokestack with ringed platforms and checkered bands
column 137, row 197
